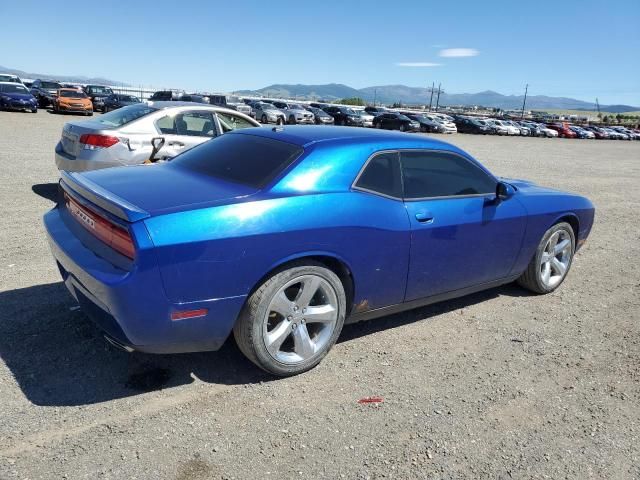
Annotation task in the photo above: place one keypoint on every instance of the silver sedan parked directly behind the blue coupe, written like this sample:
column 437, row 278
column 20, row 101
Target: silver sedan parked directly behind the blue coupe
column 123, row 136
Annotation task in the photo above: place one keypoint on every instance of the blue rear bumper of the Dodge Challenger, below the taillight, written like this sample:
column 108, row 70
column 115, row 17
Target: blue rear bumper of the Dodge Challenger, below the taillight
column 130, row 305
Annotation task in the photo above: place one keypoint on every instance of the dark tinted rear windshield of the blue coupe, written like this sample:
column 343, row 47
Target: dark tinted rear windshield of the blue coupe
column 245, row 159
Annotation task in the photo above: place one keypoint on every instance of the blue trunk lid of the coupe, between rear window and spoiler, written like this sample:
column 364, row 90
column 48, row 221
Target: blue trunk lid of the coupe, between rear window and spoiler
column 163, row 188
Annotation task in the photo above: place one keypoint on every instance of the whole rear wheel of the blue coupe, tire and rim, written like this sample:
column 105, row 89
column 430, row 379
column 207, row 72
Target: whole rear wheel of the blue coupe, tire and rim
column 293, row 319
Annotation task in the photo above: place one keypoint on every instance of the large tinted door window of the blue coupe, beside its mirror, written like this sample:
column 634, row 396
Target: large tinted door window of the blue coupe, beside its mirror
column 441, row 174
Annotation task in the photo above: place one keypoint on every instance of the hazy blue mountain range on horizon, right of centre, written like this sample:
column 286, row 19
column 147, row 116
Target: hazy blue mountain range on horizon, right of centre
column 421, row 96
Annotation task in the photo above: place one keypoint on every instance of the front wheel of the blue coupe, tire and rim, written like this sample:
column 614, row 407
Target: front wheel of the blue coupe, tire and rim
column 551, row 263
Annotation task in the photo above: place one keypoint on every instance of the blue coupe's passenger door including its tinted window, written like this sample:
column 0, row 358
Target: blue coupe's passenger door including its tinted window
column 461, row 235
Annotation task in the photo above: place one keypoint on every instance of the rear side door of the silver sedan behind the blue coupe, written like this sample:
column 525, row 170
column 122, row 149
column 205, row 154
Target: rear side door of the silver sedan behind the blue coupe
column 185, row 130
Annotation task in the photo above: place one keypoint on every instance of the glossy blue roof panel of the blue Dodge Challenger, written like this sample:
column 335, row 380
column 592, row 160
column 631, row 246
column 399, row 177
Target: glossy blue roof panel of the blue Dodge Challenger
column 305, row 135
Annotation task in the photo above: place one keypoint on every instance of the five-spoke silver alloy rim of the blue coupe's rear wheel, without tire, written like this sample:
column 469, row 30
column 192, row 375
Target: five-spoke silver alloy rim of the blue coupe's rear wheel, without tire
column 301, row 319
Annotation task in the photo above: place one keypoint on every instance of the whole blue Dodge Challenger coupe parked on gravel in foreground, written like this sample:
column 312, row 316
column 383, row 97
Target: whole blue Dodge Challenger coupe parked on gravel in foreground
column 282, row 235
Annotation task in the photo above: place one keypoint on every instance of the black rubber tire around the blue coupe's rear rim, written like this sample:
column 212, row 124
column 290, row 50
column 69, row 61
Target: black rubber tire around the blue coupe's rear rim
column 248, row 330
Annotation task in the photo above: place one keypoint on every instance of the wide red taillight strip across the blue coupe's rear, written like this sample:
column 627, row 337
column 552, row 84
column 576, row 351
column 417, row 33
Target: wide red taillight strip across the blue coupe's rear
column 114, row 235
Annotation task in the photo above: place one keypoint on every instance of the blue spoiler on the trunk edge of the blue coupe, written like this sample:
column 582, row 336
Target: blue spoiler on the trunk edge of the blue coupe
column 76, row 182
